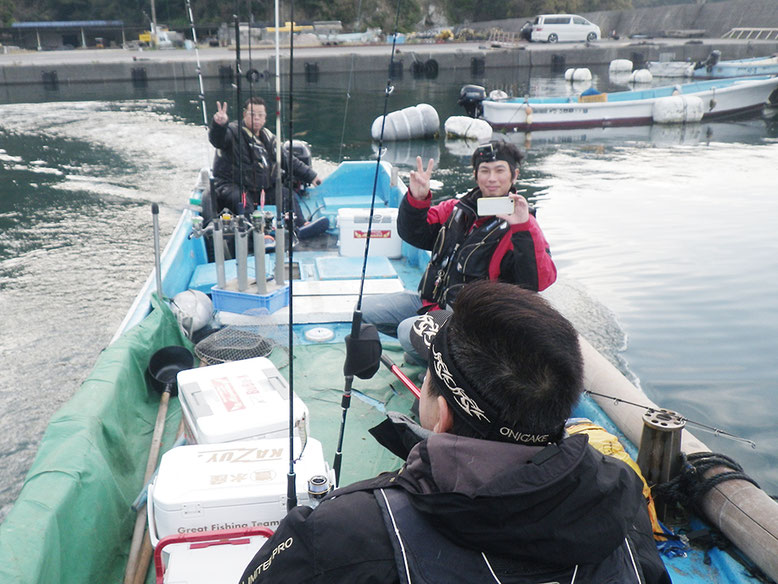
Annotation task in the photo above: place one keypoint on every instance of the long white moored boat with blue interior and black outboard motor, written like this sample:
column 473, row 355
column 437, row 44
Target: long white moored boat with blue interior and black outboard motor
column 690, row 102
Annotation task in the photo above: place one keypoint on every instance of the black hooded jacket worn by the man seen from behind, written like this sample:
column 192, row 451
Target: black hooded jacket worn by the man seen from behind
column 535, row 517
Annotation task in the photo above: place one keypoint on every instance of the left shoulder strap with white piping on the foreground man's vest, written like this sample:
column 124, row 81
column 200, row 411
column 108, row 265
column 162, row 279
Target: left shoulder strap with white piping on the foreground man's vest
column 422, row 554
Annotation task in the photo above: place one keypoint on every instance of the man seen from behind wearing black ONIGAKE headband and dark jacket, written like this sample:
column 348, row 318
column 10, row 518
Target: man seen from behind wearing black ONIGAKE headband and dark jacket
column 493, row 490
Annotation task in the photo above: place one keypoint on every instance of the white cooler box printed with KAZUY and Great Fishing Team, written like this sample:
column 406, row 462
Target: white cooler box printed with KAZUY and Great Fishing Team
column 205, row 487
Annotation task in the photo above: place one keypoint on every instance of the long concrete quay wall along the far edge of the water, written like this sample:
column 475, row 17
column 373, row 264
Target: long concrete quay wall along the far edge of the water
column 117, row 65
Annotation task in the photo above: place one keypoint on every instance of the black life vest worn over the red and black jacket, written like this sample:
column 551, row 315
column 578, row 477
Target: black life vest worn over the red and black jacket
column 460, row 255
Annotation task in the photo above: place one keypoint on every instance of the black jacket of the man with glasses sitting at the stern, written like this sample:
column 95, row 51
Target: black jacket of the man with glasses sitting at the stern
column 256, row 159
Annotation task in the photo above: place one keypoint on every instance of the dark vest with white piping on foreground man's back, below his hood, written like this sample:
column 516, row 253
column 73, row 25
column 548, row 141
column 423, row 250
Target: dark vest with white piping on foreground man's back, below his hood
column 424, row 556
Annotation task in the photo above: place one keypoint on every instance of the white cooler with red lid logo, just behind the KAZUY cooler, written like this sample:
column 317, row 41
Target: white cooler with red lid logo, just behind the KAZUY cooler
column 239, row 400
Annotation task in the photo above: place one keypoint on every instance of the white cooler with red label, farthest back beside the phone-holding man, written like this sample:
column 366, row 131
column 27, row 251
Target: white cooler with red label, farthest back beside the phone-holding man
column 384, row 239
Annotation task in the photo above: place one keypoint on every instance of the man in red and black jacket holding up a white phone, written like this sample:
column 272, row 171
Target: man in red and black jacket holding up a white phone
column 465, row 246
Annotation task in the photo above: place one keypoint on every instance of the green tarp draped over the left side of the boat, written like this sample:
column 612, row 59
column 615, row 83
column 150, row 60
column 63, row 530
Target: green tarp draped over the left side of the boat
column 72, row 520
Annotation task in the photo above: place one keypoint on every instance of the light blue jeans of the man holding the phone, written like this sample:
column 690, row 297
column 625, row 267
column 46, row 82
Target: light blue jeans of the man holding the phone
column 393, row 315
